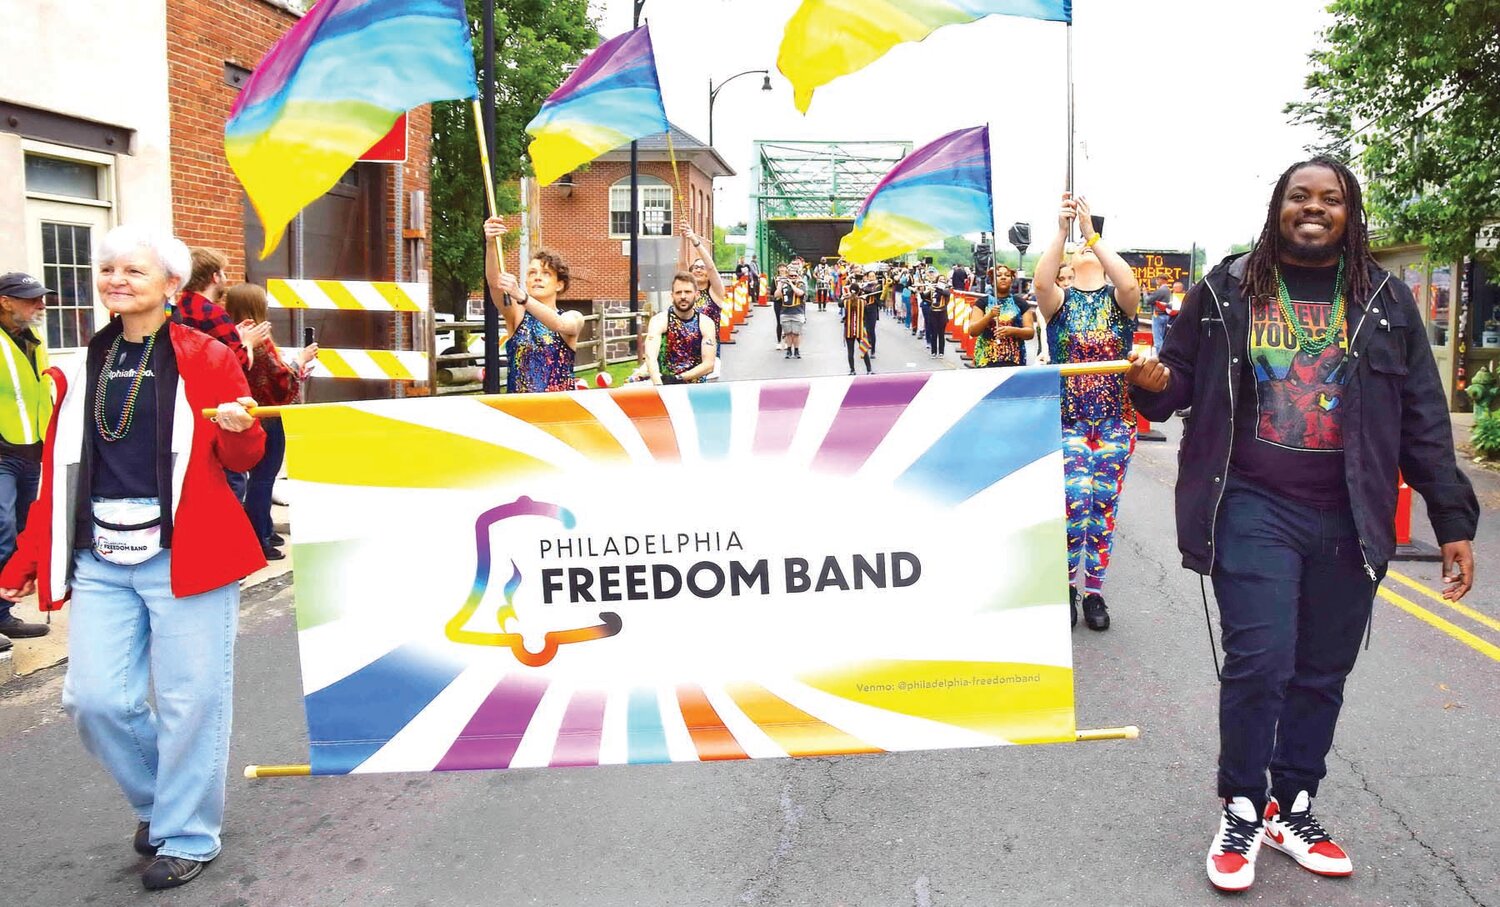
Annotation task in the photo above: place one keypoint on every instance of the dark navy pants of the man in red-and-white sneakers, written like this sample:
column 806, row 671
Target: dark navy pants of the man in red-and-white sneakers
column 1294, row 603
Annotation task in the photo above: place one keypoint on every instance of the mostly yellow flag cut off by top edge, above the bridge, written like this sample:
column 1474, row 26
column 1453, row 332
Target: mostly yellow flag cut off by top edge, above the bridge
column 832, row 38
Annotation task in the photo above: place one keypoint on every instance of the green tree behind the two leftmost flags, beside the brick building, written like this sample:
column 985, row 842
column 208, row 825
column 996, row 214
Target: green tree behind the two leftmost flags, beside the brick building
column 536, row 43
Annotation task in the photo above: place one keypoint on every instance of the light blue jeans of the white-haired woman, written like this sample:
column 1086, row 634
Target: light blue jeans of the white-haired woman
column 128, row 630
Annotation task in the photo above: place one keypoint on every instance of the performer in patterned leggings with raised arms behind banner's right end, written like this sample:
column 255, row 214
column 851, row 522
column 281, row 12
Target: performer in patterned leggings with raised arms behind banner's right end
column 1091, row 322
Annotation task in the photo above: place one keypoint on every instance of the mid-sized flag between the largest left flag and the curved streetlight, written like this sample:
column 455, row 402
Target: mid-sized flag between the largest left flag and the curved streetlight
column 614, row 98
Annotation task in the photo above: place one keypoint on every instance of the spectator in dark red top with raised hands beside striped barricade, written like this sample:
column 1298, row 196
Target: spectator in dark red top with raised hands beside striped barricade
column 274, row 383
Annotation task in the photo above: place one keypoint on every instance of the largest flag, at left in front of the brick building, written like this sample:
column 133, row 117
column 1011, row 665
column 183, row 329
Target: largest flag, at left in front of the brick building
column 332, row 88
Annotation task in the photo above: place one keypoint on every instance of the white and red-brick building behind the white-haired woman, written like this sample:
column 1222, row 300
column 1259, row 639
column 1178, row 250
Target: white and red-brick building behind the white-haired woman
column 88, row 143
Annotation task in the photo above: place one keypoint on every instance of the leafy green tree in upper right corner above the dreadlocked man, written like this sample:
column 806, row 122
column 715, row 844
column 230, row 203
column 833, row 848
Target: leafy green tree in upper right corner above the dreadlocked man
column 1423, row 80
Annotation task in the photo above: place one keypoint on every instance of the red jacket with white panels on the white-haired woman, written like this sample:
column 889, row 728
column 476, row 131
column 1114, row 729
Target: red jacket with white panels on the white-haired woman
column 209, row 534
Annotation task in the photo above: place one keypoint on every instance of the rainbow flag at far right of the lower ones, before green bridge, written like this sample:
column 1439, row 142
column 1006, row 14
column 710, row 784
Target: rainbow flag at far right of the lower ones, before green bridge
column 940, row 191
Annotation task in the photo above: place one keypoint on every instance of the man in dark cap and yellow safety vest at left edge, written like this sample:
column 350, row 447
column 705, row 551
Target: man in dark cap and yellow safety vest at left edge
column 26, row 406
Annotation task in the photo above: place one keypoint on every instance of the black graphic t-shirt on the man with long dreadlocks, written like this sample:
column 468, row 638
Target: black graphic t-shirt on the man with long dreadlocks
column 1289, row 421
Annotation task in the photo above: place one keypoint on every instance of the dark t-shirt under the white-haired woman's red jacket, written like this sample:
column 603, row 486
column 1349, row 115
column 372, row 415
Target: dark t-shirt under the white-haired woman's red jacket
column 127, row 468
